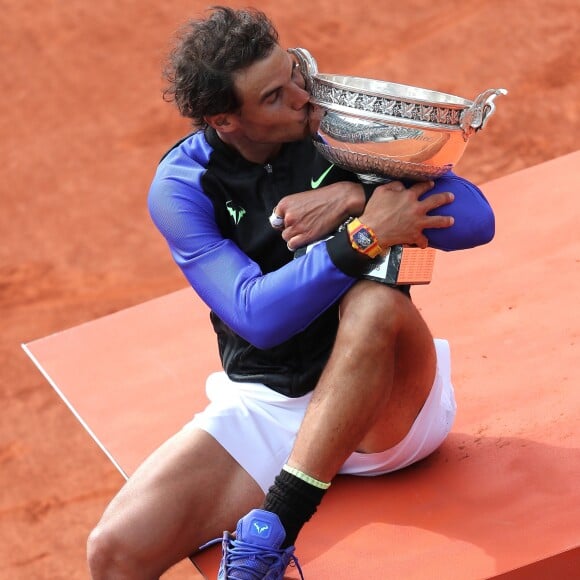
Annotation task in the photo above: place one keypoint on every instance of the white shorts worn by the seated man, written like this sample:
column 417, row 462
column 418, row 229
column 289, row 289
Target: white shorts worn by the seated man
column 257, row 425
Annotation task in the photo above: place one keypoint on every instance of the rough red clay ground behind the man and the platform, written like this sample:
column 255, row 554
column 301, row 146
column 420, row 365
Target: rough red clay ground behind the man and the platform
column 83, row 125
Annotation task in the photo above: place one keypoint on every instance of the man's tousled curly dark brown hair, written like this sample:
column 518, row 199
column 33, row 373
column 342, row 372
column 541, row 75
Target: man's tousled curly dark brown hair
column 200, row 68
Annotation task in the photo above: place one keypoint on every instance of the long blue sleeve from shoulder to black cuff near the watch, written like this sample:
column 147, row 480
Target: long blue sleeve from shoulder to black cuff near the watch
column 264, row 309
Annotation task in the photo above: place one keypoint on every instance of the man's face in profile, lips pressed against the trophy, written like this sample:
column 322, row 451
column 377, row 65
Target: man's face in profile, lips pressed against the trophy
column 275, row 105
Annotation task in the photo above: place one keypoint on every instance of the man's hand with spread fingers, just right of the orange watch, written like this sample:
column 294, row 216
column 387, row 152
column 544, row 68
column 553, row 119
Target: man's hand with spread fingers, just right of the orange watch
column 397, row 216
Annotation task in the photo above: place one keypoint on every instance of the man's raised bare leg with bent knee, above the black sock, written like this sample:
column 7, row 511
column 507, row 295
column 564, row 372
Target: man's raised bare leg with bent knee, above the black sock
column 377, row 379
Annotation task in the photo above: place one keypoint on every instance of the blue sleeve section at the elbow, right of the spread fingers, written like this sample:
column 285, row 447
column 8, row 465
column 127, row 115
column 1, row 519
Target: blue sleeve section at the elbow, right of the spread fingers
column 474, row 220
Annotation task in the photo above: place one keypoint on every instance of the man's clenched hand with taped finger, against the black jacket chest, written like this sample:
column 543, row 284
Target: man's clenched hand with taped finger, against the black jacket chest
column 311, row 215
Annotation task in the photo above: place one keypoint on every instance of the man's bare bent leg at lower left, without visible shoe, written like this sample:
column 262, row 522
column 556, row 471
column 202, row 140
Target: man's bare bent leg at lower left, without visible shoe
column 185, row 494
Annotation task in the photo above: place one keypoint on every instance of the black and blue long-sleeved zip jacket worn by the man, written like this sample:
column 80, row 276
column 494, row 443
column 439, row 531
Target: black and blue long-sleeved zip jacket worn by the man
column 275, row 317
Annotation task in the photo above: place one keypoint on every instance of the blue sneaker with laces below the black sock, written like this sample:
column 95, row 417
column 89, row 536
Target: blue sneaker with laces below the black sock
column 254, row 553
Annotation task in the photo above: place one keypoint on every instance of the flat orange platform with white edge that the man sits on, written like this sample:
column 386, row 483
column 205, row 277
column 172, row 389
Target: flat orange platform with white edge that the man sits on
column 500, row 498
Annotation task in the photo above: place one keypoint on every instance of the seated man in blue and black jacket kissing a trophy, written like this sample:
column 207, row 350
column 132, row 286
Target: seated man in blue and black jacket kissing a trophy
column 304, row 396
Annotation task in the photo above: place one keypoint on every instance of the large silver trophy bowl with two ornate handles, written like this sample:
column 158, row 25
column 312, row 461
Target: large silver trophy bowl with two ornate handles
column 382, row 130
